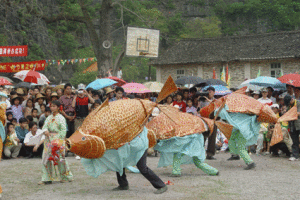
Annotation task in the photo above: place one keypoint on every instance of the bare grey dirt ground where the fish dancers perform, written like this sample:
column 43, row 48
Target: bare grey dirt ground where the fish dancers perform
column 273, row 178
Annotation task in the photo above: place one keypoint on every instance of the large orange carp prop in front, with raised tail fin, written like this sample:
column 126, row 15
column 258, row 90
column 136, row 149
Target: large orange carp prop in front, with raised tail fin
column 111, row 125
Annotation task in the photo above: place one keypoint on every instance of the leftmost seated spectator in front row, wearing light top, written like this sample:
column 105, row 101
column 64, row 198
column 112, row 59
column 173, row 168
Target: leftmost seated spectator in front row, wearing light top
column 12, row 146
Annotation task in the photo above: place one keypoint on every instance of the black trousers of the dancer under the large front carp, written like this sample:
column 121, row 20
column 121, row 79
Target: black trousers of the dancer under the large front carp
column 145, row 171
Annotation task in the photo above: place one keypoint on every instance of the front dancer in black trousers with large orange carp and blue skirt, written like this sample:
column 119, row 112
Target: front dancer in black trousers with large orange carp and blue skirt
column 114, row 136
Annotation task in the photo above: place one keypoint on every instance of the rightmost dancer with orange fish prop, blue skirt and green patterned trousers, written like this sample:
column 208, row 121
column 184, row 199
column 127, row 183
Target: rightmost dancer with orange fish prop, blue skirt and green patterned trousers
column 245, row 114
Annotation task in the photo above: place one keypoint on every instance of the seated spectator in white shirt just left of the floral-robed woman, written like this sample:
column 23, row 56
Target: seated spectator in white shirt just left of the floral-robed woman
column 33, row 141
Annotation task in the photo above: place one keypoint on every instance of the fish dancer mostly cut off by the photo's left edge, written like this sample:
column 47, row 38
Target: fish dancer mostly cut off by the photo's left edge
column 3, row 106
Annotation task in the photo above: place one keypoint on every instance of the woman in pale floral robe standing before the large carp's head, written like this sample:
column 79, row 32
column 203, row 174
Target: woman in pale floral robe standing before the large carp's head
column 55, row 131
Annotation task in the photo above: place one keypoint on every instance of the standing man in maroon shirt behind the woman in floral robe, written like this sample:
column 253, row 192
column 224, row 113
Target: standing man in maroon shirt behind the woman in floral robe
column 67, row 110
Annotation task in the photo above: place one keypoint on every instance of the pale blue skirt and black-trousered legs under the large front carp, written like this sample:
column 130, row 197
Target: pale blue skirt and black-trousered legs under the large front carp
column 130, row 154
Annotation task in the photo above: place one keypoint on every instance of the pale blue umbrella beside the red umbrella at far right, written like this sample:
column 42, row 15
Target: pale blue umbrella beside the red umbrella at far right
column 266, row 81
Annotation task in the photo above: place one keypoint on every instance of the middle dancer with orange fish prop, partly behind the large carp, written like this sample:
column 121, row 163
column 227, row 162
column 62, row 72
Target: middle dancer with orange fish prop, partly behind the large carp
column 181, row 139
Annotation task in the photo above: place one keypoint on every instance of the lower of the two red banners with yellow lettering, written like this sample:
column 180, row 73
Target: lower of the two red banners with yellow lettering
column 19, row 66
